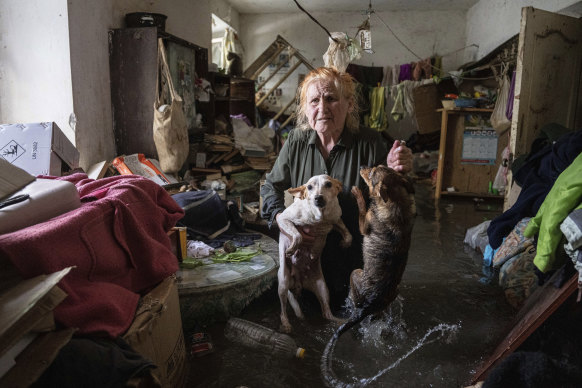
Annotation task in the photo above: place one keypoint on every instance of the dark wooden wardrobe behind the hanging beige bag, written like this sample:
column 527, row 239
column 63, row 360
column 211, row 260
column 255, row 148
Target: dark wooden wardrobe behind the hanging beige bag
column 133, row 71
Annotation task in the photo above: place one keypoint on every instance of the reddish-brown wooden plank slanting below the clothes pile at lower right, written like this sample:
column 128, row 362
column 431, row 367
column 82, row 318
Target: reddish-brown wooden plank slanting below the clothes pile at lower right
column 539, row 306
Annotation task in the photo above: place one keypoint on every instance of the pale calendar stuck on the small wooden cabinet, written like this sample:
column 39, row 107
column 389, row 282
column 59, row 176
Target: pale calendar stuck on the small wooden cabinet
column 479, row 145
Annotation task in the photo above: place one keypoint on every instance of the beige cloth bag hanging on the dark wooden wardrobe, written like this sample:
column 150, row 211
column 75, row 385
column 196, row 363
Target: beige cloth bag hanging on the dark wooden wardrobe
column 170, row 127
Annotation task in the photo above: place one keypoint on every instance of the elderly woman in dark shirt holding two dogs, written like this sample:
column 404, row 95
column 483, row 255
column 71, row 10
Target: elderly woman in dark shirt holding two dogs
column 328, row 140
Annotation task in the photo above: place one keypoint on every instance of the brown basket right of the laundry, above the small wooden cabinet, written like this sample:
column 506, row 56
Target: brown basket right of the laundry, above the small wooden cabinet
column 426, row 102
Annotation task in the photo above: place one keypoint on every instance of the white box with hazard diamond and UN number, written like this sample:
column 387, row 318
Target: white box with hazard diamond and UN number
column 38, row 148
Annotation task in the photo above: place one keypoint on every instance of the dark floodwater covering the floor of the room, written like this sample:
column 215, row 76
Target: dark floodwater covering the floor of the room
column 449, row 317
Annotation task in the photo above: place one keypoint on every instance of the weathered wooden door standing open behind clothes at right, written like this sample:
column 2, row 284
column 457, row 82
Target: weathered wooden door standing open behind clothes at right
column 548, row 82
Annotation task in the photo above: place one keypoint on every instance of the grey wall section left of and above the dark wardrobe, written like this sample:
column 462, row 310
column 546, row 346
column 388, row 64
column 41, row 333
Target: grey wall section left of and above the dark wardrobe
column 90, row 22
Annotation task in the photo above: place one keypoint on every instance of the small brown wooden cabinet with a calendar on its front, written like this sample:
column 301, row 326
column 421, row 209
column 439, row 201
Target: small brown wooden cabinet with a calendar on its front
column 466, row 178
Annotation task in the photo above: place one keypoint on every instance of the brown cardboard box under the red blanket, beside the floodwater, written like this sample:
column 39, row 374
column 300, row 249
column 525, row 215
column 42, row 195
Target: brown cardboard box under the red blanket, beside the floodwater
column 156, row 333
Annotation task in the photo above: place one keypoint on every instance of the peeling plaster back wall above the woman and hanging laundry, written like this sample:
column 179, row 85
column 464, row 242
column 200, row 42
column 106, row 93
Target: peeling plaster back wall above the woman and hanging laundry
column 424, row 32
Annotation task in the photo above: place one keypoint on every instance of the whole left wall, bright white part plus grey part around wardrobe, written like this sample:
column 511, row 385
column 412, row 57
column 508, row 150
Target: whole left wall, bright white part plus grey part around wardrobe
column 55, row 61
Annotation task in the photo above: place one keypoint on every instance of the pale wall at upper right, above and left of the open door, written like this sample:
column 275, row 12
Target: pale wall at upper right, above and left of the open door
column 492, row 22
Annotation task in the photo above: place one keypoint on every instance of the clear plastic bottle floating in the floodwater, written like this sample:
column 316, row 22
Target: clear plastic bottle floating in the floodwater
column 259, row 337
